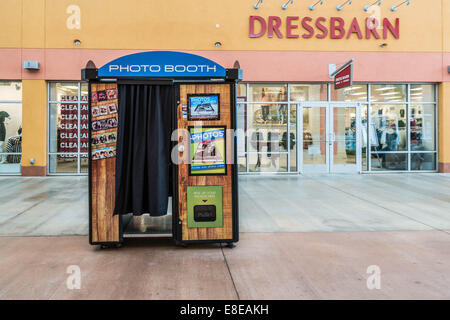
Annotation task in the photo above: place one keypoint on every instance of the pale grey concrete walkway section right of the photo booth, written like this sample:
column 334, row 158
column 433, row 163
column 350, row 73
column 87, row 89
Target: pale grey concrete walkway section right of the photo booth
column 343, row 203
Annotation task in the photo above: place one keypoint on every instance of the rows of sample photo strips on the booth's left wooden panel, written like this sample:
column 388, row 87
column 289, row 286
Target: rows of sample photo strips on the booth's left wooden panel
column 104, row 122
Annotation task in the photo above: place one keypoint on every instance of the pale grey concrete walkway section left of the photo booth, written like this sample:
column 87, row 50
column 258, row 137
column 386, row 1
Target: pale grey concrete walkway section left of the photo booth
column 43, row 206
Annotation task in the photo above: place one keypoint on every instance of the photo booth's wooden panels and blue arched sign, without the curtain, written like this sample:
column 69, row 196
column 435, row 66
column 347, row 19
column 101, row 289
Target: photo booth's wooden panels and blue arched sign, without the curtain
column 204, row 195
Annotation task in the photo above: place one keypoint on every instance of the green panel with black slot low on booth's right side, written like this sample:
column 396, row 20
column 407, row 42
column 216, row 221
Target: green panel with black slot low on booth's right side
column 204, row 206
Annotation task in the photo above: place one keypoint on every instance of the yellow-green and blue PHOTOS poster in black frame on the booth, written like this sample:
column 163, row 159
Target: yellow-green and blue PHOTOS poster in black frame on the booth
column 207, row 150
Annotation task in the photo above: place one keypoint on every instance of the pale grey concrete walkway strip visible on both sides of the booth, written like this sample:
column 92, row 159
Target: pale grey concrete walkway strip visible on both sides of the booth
column 324, row 203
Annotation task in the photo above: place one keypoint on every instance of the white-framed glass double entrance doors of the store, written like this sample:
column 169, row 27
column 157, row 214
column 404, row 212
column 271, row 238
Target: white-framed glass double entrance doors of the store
column 331, row 137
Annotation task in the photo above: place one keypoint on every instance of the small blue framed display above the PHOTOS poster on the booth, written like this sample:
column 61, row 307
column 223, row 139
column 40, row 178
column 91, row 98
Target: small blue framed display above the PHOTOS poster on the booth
column 204, row 107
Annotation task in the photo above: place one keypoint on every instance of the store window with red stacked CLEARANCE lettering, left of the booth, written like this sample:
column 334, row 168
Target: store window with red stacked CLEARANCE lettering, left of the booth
column 68, row 128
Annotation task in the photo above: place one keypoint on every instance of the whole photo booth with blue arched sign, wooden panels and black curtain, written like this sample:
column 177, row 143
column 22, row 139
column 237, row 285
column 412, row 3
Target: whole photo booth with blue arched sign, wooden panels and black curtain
column 161, row 128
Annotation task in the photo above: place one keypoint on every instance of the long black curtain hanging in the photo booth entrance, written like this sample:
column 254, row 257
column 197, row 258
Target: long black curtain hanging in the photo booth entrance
column 143, row 181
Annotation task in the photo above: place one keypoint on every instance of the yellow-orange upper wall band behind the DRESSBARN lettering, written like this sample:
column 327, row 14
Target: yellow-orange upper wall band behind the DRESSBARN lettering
column 198, row 24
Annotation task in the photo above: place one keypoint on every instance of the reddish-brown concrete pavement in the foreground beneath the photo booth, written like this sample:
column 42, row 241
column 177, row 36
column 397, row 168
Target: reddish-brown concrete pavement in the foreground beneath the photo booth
column 413, row 265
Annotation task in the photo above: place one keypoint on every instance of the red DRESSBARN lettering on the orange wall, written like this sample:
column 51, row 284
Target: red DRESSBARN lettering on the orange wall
column 292, row 27
